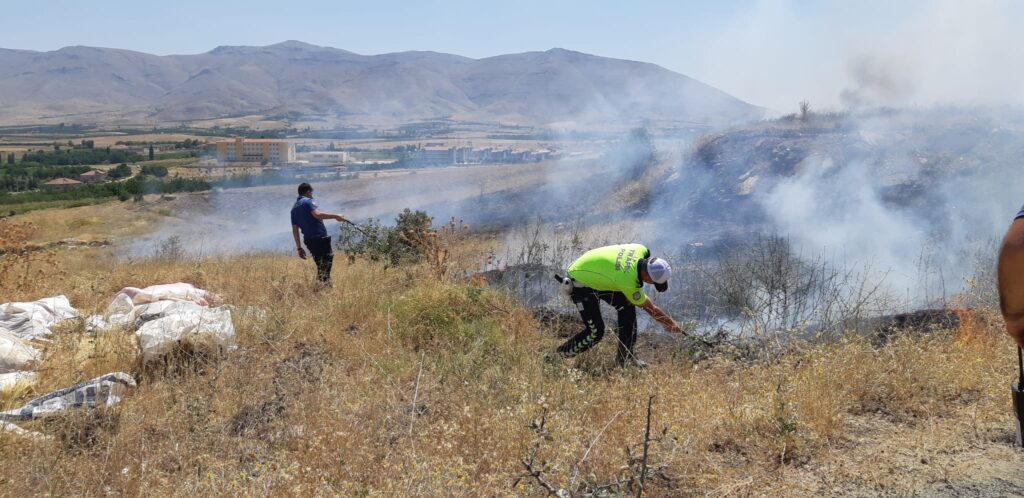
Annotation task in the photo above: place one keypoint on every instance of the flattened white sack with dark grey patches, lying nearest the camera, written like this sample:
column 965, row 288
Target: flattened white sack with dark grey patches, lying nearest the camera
column 104, row 391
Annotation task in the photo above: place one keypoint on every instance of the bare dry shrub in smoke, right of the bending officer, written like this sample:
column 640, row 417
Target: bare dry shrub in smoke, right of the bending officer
column 765, row 288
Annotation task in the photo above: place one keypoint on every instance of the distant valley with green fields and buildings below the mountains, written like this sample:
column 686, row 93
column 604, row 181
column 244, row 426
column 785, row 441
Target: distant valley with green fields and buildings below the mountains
column 57, row 165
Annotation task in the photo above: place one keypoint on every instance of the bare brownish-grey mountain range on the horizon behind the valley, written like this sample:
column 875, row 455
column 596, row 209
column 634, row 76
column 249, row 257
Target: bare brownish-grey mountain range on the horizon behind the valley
column 94, row 86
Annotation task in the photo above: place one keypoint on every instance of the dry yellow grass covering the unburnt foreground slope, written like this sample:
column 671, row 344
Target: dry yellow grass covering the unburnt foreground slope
column 399, row 384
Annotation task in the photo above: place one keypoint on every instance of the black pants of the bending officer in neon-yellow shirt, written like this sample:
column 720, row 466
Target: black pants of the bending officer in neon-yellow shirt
column 588, row 303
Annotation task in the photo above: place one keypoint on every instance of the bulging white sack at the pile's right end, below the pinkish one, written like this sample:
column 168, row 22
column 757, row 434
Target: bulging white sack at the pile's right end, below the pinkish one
column 201, row 328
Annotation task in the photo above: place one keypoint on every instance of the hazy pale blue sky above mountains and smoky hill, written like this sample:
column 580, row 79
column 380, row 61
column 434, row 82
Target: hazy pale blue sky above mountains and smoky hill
column 770, row 53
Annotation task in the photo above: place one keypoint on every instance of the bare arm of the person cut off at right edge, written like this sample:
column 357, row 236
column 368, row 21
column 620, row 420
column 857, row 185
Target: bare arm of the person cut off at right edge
column 1011, row 278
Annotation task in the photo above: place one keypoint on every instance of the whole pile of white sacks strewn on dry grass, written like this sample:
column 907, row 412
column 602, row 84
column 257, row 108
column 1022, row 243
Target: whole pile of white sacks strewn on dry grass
column 162, row 317
